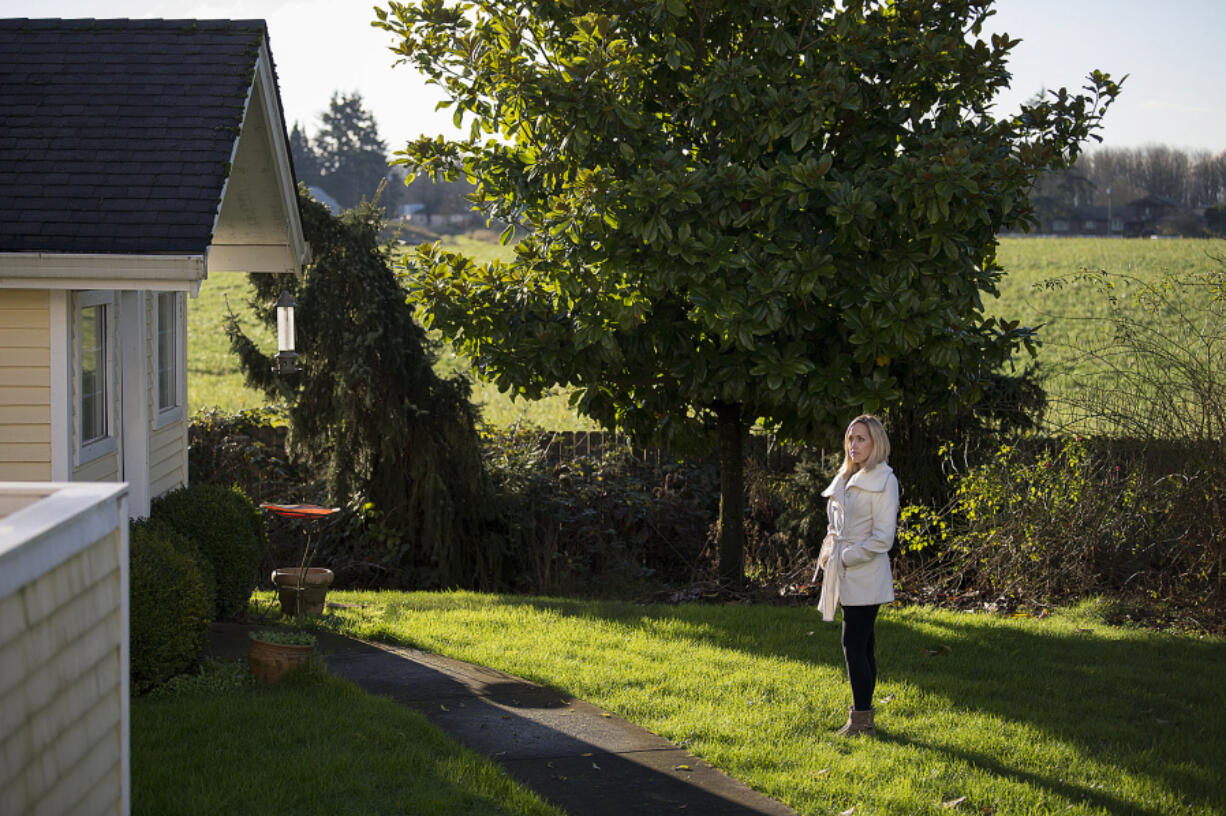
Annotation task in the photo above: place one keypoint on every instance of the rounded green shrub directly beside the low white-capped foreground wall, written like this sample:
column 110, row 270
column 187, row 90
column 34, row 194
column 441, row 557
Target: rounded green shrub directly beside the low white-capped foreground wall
column 170, row 610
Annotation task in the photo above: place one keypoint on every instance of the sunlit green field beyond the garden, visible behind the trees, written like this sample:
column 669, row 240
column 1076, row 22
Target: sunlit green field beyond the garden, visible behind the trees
column 1072, row 318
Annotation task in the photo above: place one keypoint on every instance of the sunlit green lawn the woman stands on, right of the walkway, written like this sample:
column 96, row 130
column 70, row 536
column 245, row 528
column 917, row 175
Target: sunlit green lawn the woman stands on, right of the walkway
column 980, row 714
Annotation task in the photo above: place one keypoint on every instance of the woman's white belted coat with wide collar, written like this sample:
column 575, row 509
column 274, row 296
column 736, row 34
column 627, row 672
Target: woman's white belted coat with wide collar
column 862, row 514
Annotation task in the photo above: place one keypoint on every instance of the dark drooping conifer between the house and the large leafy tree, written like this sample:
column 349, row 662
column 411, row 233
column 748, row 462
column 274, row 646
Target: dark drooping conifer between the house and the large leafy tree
column 397, row 444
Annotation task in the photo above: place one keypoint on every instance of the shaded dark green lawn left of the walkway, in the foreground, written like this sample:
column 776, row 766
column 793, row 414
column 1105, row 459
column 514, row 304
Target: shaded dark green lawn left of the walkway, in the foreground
column 312, row 746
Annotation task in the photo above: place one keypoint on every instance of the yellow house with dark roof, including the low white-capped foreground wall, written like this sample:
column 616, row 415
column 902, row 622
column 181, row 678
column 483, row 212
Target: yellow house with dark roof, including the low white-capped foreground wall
column 138, row 157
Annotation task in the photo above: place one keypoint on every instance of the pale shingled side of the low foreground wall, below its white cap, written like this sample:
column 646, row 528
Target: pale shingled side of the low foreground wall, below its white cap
column 61, row 688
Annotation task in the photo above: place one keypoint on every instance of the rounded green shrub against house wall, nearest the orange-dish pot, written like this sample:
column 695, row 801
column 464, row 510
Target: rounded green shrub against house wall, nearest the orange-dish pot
column 227, row 530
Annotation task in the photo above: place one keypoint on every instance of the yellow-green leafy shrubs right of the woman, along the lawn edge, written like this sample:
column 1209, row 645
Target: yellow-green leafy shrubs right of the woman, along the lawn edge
column 1057, row 521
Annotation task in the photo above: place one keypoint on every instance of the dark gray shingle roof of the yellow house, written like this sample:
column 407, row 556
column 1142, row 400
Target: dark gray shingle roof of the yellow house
column 116, row 135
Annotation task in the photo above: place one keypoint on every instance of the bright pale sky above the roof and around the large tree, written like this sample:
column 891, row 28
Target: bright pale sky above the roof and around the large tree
column 1175, row 94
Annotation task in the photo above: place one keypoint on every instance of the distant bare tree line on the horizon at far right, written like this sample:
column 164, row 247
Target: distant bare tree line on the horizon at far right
column 1117, row 176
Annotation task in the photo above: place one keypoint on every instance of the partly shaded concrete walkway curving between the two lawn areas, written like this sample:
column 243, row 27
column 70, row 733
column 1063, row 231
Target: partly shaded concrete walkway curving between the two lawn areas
column 581, row 759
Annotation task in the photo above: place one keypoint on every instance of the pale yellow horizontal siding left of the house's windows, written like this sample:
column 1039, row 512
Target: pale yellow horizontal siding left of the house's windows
column 25, row 385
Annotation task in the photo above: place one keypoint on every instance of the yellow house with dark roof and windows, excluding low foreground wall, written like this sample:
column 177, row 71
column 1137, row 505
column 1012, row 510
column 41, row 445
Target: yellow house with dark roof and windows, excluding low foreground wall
column 138, row 157
